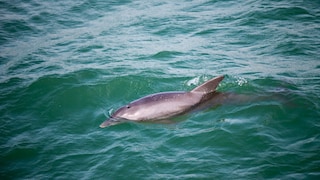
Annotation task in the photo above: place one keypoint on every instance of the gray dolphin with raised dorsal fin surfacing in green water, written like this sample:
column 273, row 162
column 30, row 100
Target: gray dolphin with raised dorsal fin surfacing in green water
column 166, row 105
